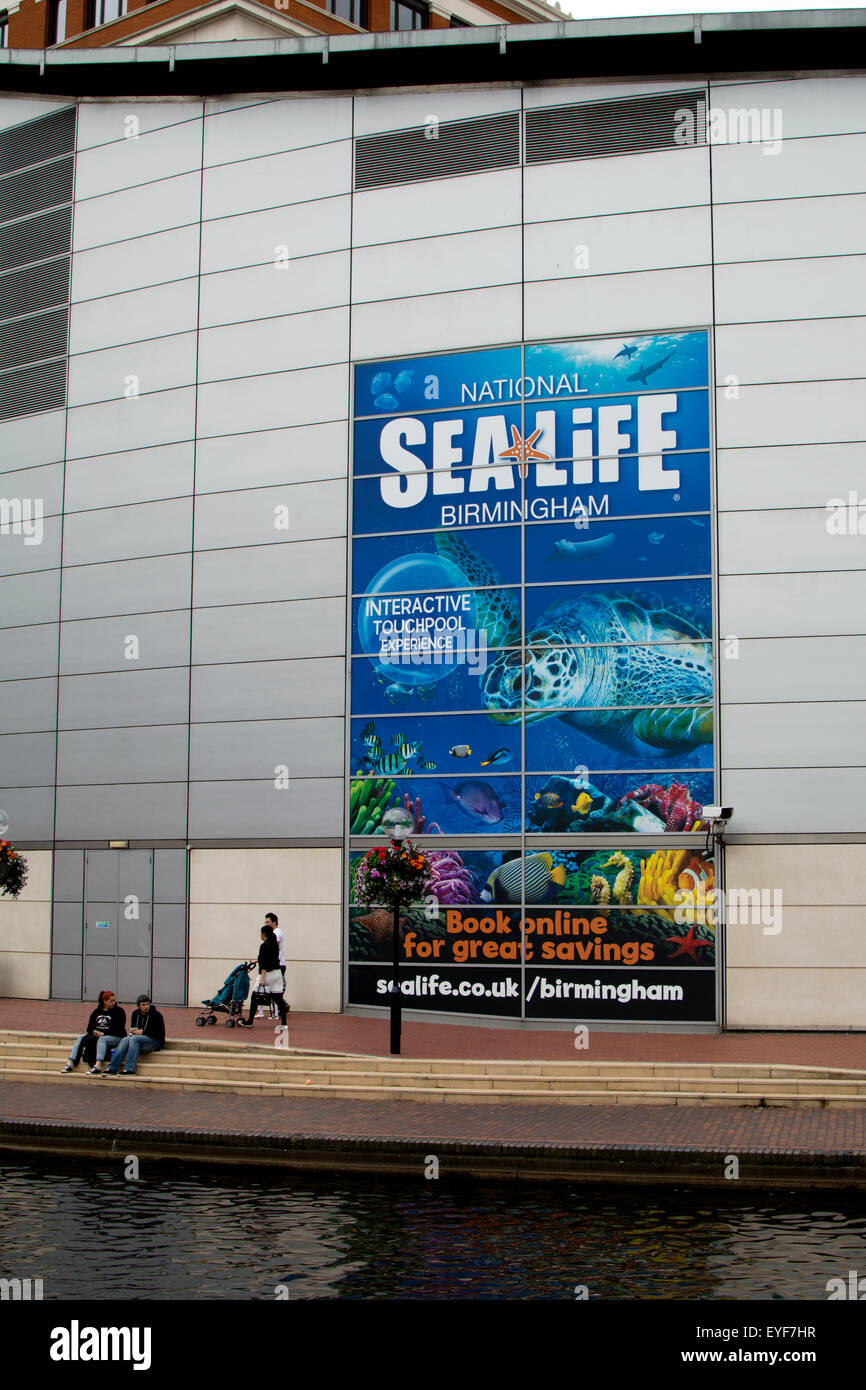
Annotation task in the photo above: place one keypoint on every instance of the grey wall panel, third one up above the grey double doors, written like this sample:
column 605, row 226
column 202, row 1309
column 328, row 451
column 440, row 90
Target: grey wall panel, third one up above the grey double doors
column 124, row 698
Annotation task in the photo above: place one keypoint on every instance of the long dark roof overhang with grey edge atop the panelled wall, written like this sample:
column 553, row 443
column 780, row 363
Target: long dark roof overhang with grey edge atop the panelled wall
column 648, row 48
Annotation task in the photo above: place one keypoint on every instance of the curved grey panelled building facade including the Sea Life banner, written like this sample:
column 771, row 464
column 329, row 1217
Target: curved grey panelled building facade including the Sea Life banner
column 493, row 452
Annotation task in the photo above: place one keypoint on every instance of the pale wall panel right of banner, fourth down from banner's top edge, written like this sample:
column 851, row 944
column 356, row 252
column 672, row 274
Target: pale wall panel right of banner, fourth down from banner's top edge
column 787, row 541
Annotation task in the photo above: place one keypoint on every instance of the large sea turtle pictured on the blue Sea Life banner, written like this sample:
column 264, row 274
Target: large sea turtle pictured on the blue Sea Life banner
column 594, row 655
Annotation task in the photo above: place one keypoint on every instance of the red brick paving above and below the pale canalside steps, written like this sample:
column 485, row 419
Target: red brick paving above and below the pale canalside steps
column 639, row 1143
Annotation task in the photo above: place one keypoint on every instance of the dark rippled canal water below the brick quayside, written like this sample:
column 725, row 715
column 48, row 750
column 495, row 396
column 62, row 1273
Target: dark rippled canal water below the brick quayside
column 211, row 1234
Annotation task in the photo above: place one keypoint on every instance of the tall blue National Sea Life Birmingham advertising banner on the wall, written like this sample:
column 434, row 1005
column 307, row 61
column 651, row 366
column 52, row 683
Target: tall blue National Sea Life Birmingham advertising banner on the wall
column 533, row 658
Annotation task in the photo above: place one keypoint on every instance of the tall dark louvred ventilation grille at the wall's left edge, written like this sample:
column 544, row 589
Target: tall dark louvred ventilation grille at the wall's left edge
column 37, row 167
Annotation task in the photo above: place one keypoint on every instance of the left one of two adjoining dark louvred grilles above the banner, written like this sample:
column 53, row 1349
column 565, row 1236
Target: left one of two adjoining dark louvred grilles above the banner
column 459, row 148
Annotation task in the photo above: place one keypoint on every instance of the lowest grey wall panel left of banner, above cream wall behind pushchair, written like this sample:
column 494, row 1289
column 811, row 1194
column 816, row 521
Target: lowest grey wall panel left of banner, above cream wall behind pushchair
column 219, row 810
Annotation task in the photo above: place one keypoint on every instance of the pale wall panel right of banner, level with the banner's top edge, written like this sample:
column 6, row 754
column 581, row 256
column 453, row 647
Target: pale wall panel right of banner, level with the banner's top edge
column 811, row 351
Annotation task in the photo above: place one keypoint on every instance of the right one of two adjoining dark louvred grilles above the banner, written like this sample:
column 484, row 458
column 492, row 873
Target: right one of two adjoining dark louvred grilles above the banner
column 665, row 120
